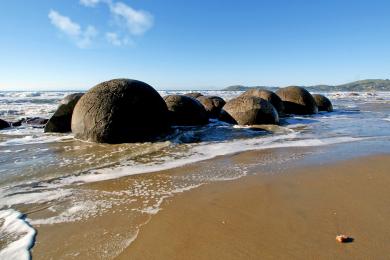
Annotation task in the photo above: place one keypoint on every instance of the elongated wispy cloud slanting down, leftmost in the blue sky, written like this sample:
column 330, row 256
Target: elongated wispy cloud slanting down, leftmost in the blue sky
column 82, row 38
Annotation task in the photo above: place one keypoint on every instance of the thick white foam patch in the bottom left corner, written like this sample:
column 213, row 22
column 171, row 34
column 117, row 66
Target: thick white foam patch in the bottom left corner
column 16, row 226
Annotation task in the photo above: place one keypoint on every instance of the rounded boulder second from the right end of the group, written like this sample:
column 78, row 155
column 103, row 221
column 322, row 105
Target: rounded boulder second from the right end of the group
column 297, row 100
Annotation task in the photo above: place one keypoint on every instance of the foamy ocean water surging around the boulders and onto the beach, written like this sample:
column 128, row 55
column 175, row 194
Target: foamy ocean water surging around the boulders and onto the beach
column 51, row 173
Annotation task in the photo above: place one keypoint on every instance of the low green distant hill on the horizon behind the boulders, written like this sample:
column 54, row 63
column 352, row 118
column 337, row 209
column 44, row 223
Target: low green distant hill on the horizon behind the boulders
column 361, row 85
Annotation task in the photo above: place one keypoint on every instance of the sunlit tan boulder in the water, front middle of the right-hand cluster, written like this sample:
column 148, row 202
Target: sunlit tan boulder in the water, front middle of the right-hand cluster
column 249, row 110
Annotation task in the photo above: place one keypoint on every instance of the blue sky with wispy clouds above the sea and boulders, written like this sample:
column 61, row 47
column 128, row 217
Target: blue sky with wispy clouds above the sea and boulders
column 75, row 44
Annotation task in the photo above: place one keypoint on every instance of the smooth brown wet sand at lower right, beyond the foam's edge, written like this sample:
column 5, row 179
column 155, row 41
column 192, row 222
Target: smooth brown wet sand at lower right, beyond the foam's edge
column 295, row 214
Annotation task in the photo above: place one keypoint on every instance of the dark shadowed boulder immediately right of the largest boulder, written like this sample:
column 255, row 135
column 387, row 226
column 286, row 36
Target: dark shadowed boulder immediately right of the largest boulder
column 186, row 111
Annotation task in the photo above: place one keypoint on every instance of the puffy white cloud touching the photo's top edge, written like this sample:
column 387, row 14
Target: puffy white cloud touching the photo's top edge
column 137, row 21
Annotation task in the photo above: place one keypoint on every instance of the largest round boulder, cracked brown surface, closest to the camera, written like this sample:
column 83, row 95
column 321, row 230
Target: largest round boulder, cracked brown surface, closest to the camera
column 120, row 111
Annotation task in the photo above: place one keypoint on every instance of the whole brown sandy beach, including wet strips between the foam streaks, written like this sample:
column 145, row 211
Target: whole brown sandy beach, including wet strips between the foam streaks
column 290, row 210
